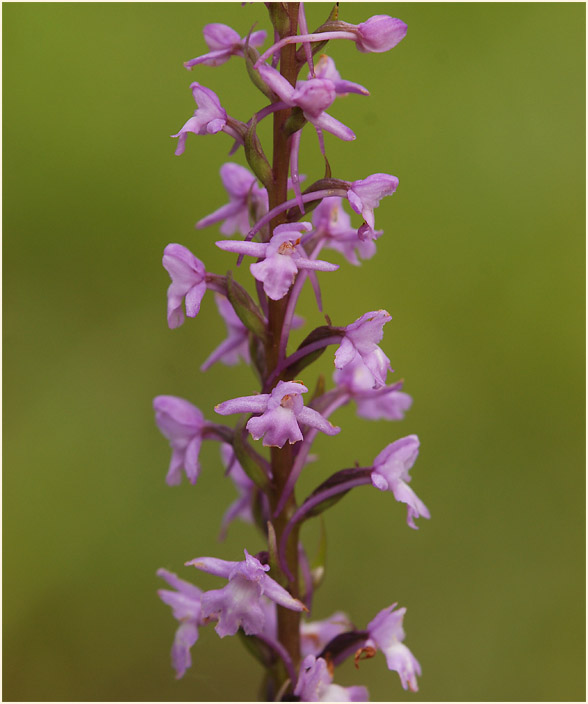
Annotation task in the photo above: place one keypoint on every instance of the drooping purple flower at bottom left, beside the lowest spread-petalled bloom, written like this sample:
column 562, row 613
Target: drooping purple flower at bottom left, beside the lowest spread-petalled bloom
column 186, row 608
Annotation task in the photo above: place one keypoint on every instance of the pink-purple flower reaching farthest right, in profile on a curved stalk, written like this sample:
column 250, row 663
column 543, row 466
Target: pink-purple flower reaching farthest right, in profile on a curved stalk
column 391, row 473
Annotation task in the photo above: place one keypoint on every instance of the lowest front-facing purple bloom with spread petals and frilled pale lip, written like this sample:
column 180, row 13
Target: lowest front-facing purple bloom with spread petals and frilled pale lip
column 239, row 603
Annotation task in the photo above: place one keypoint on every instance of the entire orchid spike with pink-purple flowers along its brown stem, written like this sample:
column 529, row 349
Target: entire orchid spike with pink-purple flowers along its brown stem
column 275, row 586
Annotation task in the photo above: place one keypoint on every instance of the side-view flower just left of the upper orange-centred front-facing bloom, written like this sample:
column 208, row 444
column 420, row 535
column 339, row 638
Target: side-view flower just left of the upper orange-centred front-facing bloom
column 188, row 283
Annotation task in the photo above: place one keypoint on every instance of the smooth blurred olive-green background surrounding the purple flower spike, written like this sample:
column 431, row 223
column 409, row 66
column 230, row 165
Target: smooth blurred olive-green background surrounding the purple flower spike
column 480, row 113
